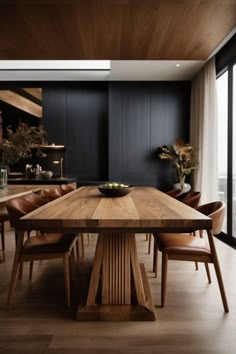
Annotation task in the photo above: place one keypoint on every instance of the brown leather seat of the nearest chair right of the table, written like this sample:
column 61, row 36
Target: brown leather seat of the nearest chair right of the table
column 183, row 243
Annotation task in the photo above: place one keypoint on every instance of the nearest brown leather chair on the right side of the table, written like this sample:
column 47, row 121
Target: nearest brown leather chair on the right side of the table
column 184, row 247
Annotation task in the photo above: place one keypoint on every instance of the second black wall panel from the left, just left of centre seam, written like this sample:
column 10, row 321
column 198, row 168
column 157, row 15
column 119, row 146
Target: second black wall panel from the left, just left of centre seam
column 86, row 134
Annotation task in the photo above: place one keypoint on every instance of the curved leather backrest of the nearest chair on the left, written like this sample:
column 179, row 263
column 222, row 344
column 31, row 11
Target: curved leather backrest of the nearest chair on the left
column 18, row 207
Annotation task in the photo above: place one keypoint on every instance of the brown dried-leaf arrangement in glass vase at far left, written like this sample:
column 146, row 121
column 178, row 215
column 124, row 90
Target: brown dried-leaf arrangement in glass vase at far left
column 17, row 145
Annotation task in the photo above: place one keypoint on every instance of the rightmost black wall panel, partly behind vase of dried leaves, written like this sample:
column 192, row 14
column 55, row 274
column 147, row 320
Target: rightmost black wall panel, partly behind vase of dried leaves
column 170, row 110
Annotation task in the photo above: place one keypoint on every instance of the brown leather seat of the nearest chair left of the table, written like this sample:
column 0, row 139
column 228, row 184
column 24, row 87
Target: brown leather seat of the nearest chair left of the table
column 49, row 243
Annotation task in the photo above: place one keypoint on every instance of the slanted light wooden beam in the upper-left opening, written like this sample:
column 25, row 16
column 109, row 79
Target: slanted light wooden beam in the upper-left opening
column 21, row 102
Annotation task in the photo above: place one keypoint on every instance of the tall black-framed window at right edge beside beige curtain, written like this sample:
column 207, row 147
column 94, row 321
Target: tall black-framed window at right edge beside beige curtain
column 226, row 155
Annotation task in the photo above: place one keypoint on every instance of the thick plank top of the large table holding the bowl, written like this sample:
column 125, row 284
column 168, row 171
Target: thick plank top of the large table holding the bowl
column 144, row 209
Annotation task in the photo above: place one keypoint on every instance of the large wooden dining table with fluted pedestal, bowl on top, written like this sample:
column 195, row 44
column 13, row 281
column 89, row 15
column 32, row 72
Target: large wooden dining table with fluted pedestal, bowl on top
column 119, row 288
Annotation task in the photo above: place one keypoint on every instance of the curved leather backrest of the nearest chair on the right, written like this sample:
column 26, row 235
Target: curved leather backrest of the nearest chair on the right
column 215, row 211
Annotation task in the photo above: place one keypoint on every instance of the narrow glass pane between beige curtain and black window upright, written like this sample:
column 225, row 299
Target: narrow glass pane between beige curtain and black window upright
column 222, row 99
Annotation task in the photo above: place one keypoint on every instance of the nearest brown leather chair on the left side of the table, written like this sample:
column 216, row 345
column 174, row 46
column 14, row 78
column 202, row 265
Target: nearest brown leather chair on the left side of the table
column 40, row 247
